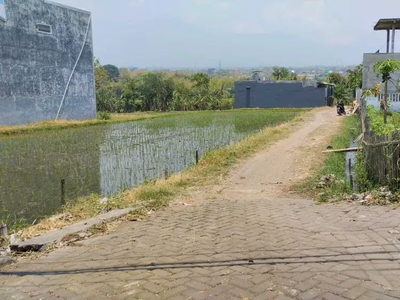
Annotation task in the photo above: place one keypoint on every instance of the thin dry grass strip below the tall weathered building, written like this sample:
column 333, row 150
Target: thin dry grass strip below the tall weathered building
column 61, row 124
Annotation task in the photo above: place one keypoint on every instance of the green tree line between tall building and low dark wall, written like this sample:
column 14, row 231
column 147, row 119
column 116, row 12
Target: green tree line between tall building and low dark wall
column 128, row 91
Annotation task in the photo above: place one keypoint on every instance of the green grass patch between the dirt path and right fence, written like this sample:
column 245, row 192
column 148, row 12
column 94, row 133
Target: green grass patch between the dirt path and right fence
column 333, row 164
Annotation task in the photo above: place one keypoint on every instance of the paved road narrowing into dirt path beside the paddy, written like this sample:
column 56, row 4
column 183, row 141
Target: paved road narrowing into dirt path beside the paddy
column 248, row 238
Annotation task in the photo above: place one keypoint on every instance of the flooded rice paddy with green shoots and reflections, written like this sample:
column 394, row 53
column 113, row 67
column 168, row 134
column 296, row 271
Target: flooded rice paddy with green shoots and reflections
column 107, row 159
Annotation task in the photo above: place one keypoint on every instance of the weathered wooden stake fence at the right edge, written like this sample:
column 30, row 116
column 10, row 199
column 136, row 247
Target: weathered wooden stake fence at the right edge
column 381, row 153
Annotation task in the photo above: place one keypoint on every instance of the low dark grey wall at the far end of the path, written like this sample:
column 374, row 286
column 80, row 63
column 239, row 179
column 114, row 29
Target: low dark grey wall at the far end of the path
column 277, row 94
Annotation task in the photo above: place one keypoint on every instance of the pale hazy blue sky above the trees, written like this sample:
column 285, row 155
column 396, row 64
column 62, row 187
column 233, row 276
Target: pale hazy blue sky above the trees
column 239, row 33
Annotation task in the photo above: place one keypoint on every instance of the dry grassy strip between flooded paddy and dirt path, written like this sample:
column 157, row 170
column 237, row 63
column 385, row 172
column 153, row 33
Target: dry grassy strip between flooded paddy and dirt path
column 157, row 194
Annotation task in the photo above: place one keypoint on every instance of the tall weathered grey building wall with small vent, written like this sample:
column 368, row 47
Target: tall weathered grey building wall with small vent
column 46, row 62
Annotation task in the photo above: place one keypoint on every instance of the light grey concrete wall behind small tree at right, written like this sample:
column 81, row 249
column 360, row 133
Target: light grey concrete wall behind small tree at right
column 369, row 77
